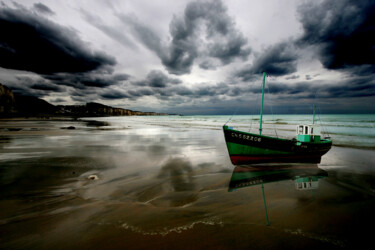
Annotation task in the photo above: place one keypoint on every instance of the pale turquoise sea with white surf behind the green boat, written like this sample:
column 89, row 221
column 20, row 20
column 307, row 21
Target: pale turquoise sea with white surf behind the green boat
column 353, row 130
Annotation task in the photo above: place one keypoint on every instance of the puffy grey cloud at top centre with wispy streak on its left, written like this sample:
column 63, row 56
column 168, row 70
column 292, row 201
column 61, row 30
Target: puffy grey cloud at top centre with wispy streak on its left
column 204, row 30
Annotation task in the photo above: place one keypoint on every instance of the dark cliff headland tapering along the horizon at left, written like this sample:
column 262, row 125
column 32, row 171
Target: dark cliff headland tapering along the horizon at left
column 12, row 105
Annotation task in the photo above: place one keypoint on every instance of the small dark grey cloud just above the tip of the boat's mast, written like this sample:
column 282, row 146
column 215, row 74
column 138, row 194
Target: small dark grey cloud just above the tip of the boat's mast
column 277, row 60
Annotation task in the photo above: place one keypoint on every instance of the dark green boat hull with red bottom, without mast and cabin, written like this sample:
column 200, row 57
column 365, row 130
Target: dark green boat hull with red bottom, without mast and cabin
column 247, row 148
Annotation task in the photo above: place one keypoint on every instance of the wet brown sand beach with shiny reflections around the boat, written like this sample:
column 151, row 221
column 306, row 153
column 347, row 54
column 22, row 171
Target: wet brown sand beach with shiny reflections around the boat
column 167, row 187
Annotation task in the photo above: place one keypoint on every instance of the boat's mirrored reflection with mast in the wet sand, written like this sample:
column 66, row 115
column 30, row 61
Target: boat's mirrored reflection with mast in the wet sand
column 306, row 177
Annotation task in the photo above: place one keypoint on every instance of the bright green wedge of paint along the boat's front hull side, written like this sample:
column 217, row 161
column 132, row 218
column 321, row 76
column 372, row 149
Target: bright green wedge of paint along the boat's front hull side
column 238, row 149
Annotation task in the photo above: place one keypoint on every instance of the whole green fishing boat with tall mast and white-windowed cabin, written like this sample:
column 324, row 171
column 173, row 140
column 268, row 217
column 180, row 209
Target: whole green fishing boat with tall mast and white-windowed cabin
column 249, row 148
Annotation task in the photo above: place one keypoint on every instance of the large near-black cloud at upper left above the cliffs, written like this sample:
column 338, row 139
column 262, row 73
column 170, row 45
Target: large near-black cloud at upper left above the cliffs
column 32, row 43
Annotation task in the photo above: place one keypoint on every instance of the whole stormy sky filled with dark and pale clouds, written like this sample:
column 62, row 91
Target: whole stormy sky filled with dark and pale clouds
column 192, row 57
